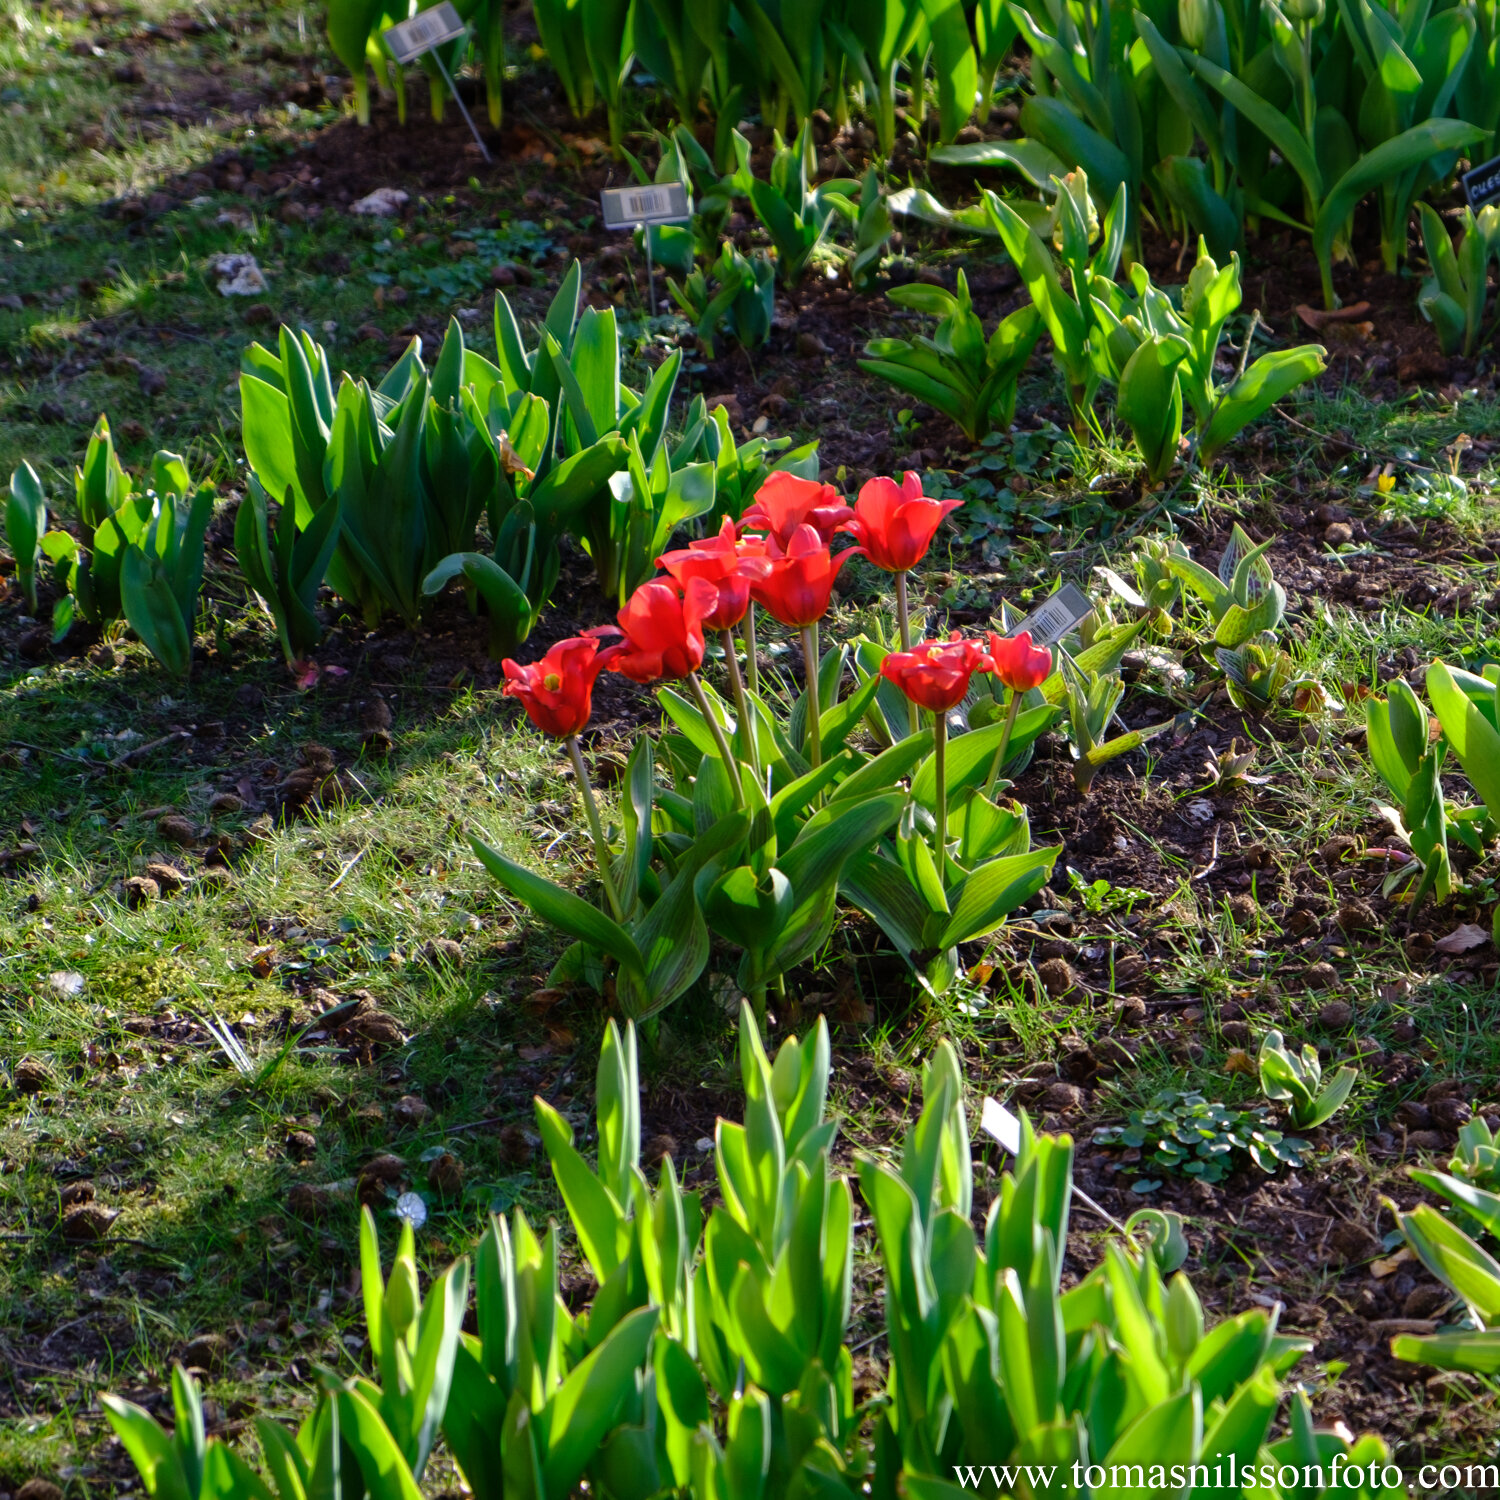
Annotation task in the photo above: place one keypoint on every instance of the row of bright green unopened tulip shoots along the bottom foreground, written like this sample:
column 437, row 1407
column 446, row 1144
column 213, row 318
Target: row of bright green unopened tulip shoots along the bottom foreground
column 716, row 1357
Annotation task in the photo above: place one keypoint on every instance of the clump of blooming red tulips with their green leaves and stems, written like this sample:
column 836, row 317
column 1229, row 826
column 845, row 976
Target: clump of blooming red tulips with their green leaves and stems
column 772, row 814
